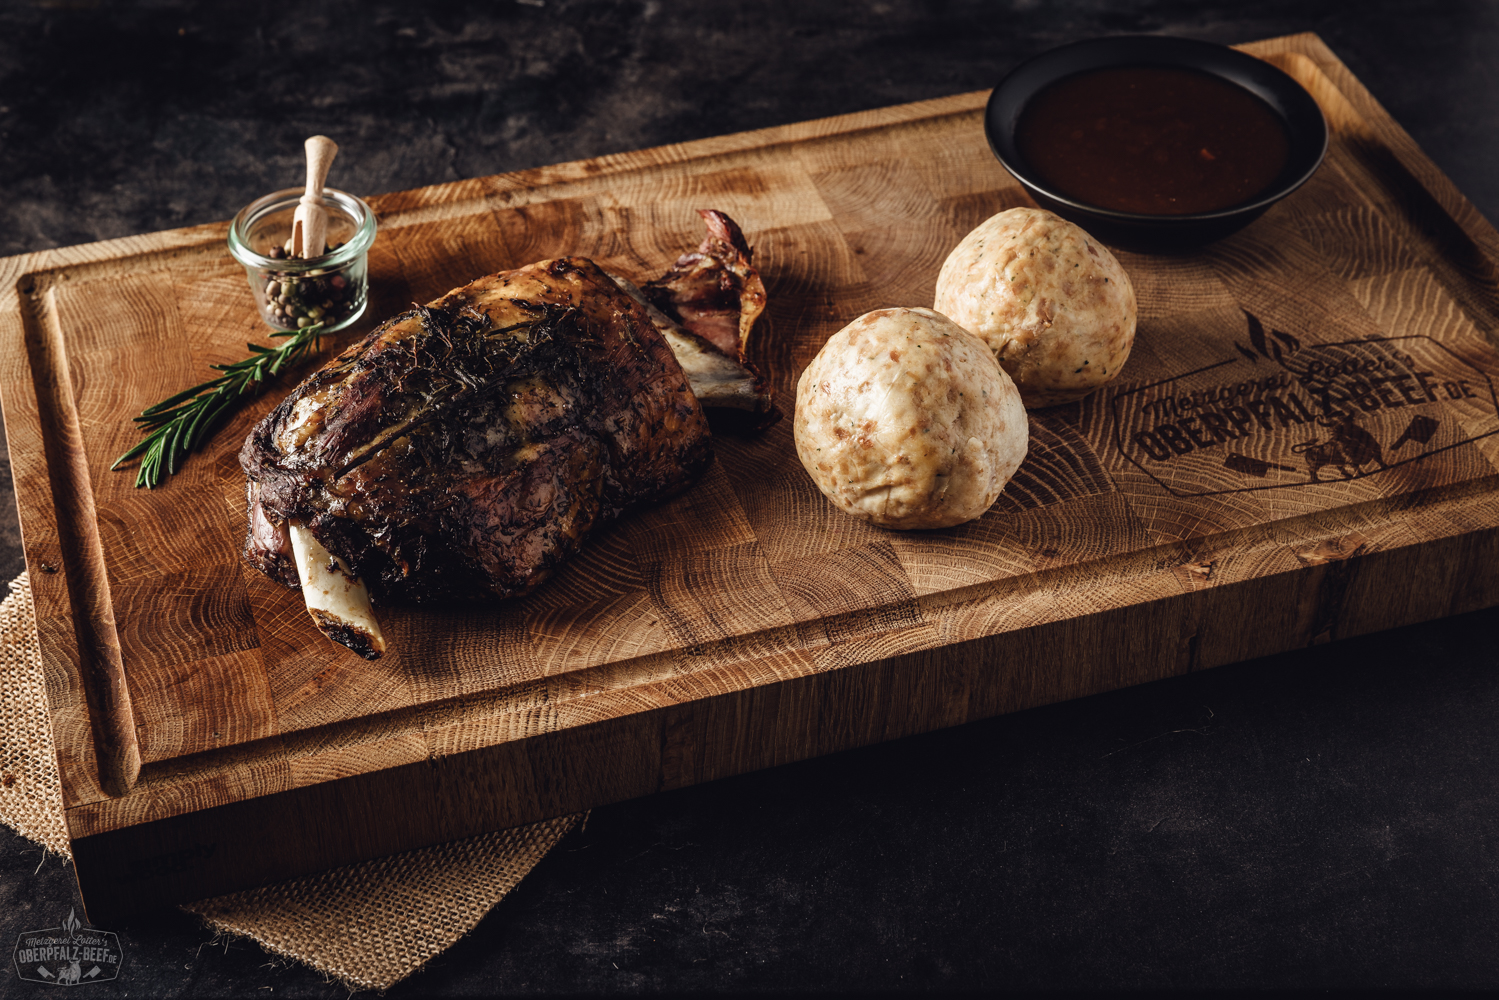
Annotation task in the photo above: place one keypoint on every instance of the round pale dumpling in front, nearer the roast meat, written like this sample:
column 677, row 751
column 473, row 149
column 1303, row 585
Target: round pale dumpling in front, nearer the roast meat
column 905, row 419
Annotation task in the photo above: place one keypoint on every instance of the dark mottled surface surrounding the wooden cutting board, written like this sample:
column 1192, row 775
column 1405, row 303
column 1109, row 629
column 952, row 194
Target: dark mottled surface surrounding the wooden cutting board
column 1321, row 819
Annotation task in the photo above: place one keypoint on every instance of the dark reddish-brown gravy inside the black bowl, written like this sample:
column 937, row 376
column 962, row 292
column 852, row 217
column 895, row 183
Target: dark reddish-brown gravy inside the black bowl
column 1152, row 140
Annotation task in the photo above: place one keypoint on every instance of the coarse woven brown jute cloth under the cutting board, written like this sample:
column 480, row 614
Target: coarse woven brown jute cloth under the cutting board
column 368, row 926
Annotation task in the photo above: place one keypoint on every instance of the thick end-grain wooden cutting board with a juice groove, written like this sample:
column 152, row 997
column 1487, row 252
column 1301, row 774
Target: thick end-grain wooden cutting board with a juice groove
column 1194, row 513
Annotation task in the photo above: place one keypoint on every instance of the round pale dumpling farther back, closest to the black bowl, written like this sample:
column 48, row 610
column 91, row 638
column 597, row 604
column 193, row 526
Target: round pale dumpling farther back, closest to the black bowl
column 1050, row 301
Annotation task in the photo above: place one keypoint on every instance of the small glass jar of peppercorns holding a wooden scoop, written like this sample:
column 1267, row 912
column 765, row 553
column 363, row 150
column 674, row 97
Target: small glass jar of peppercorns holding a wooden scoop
column 293, row 293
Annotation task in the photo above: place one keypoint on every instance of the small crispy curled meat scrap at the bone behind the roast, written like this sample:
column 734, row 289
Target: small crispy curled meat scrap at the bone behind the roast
column 714, row 293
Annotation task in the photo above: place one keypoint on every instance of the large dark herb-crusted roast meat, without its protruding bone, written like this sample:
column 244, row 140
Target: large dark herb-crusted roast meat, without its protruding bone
column 465, row 449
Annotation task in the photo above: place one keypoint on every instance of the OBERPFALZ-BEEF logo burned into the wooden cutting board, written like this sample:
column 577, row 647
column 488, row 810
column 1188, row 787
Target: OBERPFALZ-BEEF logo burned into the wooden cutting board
column 1287, row 415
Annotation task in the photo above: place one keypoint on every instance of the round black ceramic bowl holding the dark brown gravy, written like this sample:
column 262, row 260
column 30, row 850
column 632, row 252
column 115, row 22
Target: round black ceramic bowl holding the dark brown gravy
column 1305, row 128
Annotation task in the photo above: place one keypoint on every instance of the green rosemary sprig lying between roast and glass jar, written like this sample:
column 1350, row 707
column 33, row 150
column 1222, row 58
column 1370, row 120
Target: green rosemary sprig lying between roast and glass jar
column 176, row 427
